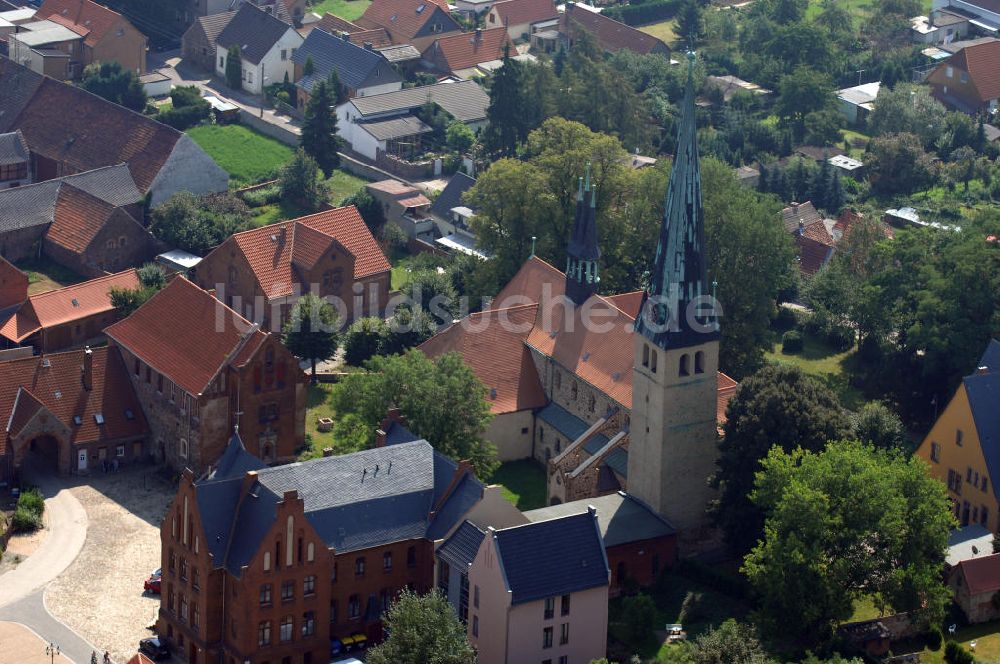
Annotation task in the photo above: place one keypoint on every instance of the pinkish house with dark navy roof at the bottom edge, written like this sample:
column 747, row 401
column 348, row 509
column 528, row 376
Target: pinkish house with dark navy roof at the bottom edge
column 540, row 592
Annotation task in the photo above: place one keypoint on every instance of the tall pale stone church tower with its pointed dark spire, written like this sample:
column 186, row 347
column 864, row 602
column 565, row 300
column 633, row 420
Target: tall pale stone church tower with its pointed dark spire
column 672, row 448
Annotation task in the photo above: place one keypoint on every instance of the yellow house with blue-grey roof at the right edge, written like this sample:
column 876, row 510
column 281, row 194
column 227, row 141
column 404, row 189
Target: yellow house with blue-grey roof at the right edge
column 963, row 446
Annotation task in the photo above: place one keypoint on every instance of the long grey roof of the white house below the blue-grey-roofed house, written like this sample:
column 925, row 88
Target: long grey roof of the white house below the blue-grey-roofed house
column 466, row 101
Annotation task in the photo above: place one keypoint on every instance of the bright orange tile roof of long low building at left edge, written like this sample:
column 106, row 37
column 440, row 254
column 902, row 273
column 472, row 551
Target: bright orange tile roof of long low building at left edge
column 65, row 305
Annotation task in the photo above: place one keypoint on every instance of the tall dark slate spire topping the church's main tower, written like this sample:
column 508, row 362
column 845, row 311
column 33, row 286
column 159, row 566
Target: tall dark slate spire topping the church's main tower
column 678, row 277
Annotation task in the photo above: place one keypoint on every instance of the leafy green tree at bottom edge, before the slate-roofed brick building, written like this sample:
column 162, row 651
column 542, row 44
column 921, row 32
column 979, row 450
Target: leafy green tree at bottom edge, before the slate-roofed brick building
column 422, row 629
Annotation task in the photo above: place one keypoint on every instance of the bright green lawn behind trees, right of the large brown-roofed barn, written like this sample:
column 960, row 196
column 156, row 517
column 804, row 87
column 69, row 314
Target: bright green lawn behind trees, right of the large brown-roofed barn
column 249, row 157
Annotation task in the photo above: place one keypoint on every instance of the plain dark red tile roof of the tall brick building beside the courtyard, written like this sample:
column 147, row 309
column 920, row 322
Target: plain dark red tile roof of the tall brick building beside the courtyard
column 186, row 334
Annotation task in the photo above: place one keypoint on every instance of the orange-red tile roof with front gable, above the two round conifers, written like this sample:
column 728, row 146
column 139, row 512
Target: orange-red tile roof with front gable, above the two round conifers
column 271, row 260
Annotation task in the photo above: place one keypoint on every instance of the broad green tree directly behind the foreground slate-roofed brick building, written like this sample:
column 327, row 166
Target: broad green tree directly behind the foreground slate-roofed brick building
column 441, row 399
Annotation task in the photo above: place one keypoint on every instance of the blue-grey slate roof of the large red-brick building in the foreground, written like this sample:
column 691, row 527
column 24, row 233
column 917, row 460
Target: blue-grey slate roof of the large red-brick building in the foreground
column 355, row 501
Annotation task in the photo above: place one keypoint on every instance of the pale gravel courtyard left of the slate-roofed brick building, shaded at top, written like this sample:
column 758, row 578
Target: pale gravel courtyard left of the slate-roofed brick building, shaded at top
column 100, row 595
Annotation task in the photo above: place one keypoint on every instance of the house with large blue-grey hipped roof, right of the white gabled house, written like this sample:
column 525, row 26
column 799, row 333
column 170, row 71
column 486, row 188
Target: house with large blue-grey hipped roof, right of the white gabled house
column 361, row 70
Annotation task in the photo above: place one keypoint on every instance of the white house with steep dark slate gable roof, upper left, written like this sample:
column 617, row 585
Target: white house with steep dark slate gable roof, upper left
column 266, row 45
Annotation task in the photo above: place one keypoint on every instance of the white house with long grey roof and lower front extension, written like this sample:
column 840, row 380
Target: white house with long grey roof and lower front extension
column 388, row 124
